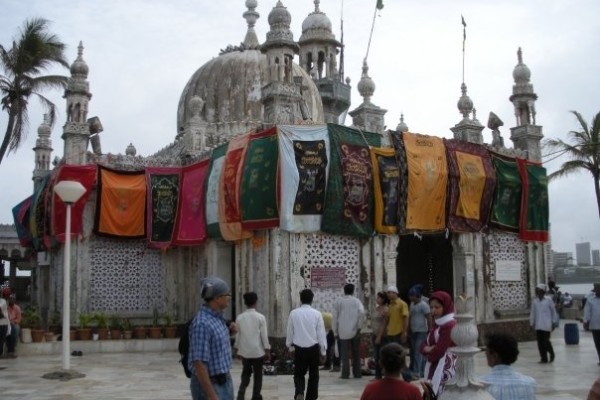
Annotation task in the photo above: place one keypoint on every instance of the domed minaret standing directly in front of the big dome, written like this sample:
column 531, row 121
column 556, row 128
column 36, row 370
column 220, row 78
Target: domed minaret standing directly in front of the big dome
column 281, row 96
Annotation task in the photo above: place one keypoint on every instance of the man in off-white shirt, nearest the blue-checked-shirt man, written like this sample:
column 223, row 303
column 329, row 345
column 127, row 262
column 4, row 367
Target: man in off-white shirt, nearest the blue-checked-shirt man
column 252, row 344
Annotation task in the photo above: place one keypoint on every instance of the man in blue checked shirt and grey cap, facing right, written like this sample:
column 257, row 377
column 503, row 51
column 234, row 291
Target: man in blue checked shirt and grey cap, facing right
column 209, row 356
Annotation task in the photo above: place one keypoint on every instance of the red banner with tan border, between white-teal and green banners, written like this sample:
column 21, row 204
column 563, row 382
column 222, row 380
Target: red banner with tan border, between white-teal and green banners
column 230, row 216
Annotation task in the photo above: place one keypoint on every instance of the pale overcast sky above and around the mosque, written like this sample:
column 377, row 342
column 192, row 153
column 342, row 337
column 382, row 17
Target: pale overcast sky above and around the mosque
column 142, row 53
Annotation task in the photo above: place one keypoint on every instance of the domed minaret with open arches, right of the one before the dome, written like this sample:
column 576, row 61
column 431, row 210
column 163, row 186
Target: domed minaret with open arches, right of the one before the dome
column 318, row 57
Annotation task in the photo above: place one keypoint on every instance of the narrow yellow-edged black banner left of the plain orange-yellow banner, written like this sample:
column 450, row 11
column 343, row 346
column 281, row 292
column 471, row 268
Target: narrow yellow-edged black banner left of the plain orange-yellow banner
column 386, row 182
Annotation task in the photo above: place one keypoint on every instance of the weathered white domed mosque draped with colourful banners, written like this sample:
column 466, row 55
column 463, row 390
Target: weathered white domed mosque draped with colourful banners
column 259, row 102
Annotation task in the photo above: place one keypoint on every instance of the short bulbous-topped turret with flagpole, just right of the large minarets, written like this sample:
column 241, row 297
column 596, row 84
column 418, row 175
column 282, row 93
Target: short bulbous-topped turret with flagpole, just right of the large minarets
column 368, row 116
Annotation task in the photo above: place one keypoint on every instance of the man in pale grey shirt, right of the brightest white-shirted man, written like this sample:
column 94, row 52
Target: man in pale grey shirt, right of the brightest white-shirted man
column 348, row 315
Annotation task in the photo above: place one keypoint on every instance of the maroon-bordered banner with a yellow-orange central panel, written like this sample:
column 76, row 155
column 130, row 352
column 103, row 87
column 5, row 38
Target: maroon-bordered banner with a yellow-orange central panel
column 471, row 183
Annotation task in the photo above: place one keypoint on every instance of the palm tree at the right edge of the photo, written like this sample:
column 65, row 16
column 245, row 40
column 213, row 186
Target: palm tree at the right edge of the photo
column 584, row 152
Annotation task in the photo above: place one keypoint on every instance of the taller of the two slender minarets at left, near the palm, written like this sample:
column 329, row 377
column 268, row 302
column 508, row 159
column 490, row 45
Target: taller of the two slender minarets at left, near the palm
column 76, row 131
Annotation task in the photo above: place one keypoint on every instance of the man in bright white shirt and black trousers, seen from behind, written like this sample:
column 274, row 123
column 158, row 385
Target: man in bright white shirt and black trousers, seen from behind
column 307, row 339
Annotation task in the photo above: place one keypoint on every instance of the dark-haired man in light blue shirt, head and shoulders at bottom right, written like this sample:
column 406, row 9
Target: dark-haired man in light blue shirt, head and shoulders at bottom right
column 503, row 382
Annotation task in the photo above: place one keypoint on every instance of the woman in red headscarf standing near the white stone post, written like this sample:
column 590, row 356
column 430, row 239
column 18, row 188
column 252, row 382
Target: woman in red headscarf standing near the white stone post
column 441, row 364
